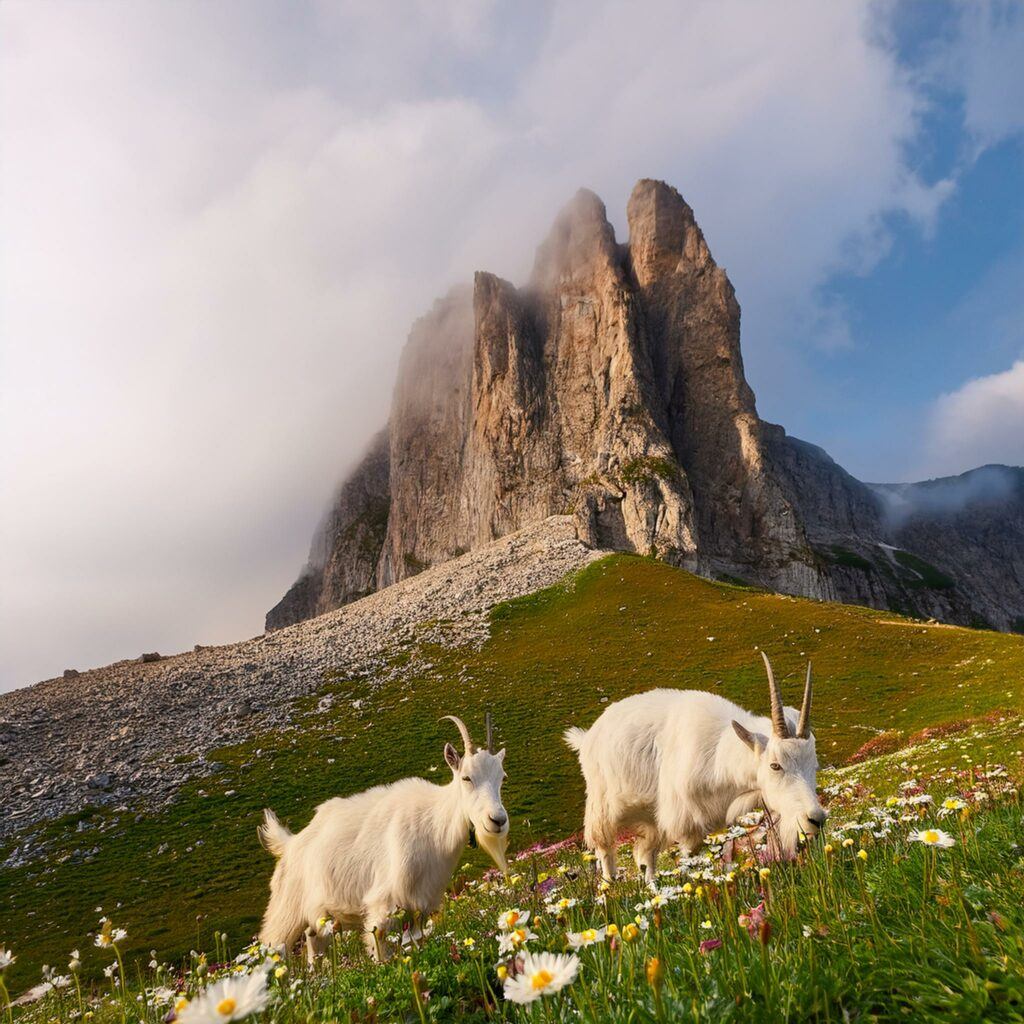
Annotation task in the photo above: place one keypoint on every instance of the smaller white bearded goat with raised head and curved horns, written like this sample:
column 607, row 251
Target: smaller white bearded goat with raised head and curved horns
column 391, row 848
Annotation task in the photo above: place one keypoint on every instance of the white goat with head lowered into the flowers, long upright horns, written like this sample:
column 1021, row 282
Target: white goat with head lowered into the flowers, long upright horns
column 675, row 765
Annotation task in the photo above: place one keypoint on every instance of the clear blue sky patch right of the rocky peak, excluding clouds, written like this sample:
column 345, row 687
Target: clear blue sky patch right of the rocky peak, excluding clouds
column 946, row 304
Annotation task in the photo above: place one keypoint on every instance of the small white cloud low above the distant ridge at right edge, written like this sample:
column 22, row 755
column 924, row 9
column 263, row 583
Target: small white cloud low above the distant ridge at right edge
column 980, row 423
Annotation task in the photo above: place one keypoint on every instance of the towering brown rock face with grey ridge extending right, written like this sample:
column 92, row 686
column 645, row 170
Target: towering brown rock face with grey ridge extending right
column 612, row 388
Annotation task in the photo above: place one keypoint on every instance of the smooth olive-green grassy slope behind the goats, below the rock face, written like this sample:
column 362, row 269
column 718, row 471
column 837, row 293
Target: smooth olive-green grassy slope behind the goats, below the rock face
column 624, row 625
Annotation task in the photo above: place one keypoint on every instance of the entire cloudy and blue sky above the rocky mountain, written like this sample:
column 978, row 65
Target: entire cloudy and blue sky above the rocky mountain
column 219, row 221
